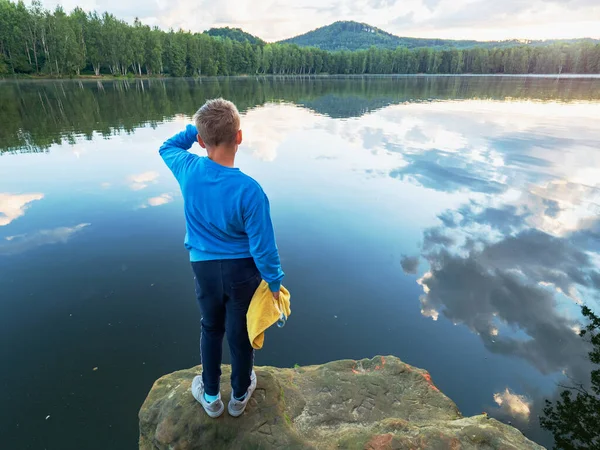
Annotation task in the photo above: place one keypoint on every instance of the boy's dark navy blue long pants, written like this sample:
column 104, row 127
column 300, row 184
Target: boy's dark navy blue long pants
column 224, row 289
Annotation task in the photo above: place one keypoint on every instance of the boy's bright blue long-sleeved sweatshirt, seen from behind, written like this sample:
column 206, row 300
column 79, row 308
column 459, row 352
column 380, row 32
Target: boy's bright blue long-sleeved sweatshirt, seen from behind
column 227, row 214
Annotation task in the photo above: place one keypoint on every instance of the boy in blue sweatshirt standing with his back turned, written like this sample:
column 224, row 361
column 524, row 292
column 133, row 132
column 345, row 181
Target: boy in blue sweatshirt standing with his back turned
column 231, row 242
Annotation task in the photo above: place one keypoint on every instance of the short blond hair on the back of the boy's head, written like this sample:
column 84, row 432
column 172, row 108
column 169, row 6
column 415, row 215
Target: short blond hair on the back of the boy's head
column 218, row 122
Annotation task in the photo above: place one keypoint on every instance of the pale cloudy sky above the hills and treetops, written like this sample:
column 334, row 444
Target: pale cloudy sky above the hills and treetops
column 274, row 20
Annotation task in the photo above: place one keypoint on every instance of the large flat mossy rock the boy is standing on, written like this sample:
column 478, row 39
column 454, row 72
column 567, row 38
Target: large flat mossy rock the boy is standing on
column 375, row 404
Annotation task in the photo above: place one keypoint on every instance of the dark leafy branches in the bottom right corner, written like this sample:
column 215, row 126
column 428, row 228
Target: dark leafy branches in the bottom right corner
column 575, row 420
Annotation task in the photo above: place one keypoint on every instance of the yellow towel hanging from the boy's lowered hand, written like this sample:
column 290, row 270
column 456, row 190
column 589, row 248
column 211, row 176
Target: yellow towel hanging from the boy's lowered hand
column 264, row 311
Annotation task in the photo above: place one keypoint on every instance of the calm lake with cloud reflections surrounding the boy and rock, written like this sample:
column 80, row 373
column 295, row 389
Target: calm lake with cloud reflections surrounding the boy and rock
column 450, row 221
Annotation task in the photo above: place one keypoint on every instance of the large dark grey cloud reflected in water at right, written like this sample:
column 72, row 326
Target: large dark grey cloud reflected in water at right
column 514, row 284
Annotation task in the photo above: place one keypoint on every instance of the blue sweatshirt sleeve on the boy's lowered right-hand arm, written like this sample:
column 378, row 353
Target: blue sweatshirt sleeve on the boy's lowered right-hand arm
column 259, row 227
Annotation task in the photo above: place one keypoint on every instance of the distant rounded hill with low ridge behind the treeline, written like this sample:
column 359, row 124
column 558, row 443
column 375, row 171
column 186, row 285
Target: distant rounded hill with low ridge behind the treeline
column 361, row 36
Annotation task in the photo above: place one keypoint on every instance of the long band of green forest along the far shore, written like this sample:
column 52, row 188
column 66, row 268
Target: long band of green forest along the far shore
column 38, row 42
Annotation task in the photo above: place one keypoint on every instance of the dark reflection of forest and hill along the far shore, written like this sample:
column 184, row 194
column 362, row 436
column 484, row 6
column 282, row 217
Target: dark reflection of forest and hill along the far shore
column 37, row 115
